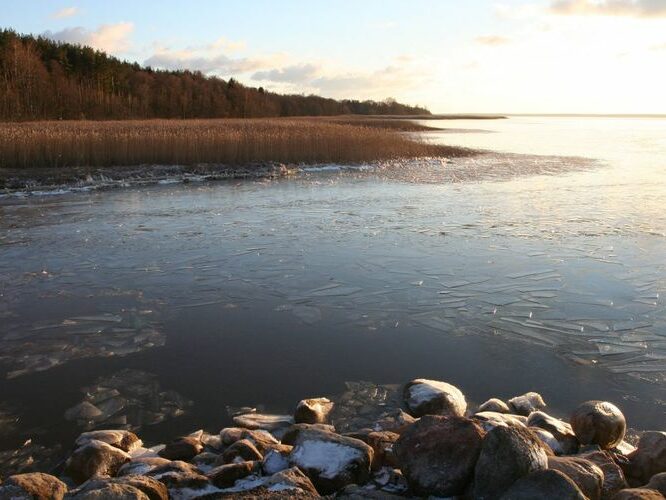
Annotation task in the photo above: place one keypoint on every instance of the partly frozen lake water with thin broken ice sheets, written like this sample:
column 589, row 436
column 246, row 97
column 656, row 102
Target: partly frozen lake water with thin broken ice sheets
column 260, row 293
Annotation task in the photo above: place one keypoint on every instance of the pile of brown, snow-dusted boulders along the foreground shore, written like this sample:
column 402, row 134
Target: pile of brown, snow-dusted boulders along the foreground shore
column 435, row 445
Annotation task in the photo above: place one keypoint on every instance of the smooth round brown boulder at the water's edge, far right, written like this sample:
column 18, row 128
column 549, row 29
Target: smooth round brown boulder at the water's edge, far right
column 599, row 422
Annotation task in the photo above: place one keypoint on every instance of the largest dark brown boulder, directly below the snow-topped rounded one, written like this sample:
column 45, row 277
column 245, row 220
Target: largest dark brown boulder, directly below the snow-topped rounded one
column 437, row 454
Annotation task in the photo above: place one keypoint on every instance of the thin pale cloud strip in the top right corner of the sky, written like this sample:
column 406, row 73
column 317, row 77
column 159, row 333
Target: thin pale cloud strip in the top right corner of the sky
column 628, row 8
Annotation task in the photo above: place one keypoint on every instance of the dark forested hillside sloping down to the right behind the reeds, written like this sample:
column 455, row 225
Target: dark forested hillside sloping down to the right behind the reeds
column 45, row 80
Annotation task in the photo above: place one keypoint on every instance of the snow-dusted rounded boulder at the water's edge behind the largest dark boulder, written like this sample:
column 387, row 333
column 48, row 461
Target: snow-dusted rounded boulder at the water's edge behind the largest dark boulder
column 431, row 397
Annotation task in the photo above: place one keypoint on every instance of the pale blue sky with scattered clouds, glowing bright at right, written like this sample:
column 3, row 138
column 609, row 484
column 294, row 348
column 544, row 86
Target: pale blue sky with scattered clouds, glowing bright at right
column 470, row 56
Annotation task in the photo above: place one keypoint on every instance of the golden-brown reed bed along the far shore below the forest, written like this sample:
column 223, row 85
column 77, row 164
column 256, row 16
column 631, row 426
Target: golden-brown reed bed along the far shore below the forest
column 189, row 142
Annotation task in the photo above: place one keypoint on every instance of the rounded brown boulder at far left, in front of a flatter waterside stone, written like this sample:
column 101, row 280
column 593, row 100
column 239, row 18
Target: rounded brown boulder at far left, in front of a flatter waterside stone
column 94, row 459
